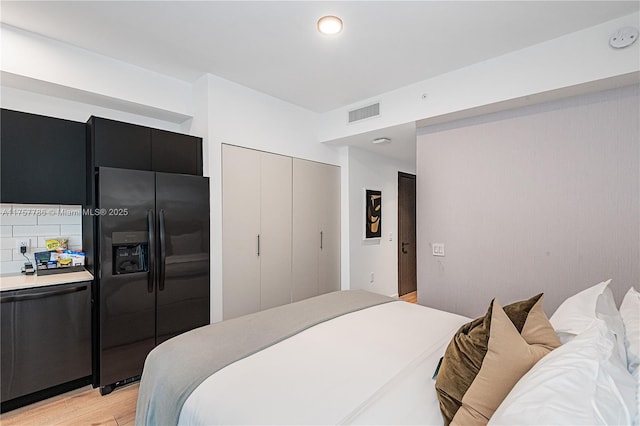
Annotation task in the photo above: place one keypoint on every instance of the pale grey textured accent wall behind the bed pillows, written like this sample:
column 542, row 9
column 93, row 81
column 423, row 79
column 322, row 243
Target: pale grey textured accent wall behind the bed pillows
column 543, row 198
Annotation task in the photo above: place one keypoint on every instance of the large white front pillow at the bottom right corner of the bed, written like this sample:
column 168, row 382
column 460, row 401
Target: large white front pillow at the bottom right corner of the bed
column 580, row 383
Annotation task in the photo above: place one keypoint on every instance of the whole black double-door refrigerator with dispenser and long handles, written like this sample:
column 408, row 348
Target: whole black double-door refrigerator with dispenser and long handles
column 152, row 264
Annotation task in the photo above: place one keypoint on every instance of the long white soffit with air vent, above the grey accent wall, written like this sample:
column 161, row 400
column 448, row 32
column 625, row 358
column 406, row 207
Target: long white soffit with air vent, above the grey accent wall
column 572, row 60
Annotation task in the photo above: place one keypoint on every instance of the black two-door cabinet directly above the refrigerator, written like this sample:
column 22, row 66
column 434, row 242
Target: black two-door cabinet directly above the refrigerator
column 129, row 146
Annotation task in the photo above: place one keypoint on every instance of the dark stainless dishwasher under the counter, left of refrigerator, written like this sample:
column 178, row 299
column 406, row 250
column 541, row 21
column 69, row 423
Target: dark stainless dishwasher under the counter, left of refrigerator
column 45, row 340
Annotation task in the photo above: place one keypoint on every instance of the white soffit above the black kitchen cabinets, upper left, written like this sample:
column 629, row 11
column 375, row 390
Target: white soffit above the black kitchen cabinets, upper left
column 36, row 63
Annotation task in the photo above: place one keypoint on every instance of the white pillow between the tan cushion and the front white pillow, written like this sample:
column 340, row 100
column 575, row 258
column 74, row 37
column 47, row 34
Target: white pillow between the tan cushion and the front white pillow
column 577, row 313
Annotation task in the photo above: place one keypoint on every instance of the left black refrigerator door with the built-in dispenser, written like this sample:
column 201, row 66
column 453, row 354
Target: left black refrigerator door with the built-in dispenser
column 126, row 201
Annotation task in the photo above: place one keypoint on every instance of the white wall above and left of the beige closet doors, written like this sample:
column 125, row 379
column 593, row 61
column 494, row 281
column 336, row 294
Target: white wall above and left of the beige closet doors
column 241, row 116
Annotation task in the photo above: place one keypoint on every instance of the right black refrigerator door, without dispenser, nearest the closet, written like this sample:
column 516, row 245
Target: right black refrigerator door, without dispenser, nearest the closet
column 182, row 209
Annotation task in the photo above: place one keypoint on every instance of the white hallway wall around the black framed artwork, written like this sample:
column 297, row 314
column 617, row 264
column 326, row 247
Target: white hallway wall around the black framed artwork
column 380, row 257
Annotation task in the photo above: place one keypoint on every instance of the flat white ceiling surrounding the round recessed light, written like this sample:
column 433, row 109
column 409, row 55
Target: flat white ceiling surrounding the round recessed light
column 274, row 47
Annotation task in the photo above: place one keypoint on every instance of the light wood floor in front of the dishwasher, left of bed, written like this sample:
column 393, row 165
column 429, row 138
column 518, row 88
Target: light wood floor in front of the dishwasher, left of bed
column 84, row 406
